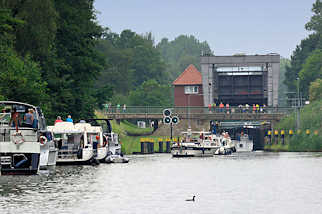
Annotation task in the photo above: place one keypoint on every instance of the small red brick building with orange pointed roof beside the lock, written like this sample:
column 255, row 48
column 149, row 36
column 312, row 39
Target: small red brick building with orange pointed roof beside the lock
column 188, row 88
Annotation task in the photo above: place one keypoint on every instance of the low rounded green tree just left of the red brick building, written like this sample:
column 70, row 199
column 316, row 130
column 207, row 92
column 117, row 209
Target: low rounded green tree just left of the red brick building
column 151, row 93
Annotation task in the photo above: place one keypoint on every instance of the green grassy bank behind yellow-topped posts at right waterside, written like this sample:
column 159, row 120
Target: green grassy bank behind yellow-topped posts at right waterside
column 301, row 140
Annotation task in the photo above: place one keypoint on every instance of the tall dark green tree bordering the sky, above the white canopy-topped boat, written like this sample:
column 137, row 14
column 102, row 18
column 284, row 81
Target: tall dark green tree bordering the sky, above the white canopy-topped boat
column 76, row 63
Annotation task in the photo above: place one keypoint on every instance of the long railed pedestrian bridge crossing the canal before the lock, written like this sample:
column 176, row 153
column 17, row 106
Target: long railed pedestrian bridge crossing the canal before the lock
column 201, row 113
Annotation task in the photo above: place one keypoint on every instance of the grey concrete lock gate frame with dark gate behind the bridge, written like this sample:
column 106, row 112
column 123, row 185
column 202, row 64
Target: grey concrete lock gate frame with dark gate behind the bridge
column 267, row 91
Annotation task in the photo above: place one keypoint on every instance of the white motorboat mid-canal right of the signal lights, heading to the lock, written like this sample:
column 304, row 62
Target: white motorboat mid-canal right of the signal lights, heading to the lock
column 193, row 144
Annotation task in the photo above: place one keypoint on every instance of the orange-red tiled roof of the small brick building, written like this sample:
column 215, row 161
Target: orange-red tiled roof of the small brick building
column 190, row 76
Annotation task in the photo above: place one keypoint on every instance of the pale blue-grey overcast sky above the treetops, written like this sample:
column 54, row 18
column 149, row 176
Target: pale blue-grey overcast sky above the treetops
column 229, row 27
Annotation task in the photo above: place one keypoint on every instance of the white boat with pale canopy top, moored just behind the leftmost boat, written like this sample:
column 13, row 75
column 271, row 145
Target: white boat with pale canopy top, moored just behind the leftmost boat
column 75, row 145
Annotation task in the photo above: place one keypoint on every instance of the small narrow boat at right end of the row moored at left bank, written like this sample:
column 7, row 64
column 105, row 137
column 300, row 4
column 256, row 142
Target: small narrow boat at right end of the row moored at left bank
column 114, row 149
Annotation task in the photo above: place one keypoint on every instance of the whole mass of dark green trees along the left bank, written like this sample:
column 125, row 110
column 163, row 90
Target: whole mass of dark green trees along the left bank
column 48, row 55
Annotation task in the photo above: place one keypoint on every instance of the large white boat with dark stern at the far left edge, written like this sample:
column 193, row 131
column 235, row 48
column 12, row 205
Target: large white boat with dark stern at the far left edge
column 20, row 145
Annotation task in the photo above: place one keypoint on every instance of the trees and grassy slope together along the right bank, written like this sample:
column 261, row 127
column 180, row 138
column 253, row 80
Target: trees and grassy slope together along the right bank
column 305, row 66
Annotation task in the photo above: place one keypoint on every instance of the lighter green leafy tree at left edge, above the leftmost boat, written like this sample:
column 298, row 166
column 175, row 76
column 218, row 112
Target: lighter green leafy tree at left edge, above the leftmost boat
column 20, row 77
